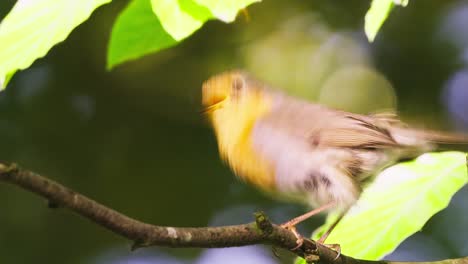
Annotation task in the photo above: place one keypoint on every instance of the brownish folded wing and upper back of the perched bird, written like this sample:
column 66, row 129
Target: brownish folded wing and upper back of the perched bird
column 322, row 126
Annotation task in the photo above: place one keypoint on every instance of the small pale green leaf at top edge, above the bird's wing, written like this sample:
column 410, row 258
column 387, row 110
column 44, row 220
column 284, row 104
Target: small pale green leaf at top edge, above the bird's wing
column 377, row 14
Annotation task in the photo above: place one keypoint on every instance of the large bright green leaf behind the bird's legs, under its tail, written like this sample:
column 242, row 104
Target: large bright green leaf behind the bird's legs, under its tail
column 398, row 203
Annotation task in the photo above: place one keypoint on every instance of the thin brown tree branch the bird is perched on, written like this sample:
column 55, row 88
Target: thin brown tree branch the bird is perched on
column 262, row 231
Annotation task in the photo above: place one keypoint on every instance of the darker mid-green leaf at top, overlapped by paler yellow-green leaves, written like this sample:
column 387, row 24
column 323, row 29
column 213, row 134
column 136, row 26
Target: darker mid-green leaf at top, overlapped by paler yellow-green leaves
column 136, row 32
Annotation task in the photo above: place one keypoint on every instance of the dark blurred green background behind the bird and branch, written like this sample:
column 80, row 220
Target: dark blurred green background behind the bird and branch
column 134, row 140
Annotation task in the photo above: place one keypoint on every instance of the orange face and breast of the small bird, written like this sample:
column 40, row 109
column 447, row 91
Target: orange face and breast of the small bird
column 234, row 102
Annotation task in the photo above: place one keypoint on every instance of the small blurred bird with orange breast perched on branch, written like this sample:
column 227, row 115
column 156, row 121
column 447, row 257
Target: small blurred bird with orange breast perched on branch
column 305, row 152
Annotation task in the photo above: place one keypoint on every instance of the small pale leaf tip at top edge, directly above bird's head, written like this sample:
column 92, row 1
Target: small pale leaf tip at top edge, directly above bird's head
column 226, row 10
